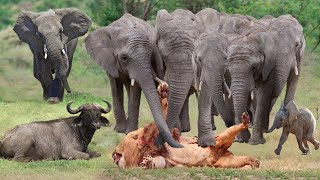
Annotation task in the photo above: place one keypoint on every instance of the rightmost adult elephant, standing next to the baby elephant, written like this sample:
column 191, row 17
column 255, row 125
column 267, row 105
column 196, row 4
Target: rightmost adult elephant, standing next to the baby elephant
column 265, row 60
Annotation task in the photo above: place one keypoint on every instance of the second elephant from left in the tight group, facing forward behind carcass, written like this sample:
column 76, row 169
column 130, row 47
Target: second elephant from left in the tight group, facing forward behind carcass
column 175, row 36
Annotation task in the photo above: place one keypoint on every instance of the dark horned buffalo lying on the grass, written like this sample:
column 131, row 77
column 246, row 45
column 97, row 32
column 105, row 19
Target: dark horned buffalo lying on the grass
column 66, row 138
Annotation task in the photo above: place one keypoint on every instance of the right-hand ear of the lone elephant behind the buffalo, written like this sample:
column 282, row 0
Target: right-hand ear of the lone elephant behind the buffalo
column 74, row 22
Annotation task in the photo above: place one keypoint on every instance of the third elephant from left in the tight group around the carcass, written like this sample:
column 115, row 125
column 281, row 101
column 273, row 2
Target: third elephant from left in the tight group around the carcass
column 210, row 58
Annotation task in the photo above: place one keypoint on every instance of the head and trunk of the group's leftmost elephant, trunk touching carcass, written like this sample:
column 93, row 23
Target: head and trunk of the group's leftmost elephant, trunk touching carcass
column 126, row 48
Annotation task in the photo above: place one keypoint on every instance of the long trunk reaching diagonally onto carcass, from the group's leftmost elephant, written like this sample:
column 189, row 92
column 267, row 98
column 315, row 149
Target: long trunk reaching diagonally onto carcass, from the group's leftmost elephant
column 149, row 89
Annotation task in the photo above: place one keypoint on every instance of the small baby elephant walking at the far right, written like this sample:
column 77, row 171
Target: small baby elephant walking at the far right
column 299, row 122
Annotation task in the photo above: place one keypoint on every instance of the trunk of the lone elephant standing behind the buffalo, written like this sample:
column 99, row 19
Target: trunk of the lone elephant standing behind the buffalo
column 57, row 54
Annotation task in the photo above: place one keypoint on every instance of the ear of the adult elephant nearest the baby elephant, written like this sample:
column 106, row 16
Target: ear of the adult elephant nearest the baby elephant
column 267, row 48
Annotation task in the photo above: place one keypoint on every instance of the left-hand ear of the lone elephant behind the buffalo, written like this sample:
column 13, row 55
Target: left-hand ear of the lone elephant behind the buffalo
column 26, row 30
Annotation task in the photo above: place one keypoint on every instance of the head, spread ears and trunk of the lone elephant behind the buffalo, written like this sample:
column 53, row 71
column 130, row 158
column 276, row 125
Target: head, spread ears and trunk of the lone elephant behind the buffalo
column 48, row 32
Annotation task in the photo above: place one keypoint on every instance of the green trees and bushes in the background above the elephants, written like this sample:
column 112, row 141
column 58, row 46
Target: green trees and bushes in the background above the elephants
column 103, row 12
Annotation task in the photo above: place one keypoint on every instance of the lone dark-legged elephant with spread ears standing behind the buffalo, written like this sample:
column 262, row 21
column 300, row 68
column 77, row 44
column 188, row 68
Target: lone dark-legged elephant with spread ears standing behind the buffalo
column 52, row 37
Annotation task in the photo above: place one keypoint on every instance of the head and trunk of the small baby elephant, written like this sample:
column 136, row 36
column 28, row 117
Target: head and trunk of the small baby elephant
column 285, row 116
